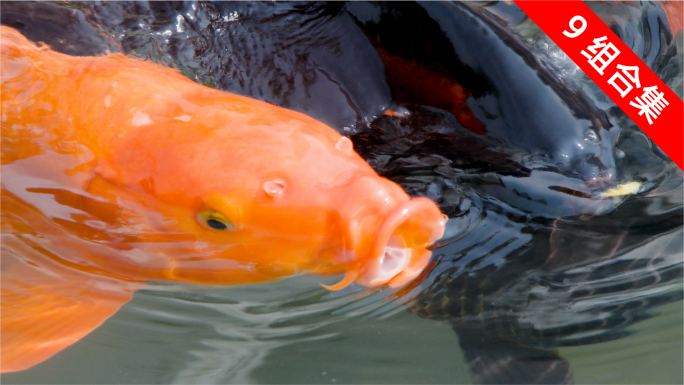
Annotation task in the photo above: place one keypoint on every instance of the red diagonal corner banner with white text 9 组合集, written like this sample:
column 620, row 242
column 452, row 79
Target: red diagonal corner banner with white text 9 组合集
column 620, row 73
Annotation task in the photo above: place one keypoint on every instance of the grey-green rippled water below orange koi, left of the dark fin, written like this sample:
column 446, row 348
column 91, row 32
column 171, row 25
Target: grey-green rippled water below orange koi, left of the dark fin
column 157, row 338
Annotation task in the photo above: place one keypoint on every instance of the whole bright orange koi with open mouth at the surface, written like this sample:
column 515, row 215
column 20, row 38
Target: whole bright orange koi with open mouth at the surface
column 116, row 171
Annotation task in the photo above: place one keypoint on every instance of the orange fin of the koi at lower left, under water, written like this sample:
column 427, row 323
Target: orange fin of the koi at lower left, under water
column 47, row 307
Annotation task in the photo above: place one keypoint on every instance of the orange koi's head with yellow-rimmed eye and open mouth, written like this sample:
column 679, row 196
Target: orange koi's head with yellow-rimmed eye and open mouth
column 263, row 192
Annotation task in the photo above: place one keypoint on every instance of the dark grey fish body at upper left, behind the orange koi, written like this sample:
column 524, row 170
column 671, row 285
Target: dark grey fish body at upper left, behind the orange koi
column 309, row 57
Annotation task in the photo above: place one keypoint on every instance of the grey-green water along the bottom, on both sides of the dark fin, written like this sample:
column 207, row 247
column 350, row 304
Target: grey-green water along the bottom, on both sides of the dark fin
column 167, row 340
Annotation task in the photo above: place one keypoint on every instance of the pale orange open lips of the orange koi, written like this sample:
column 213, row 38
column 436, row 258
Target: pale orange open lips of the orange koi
column 399, row 269
